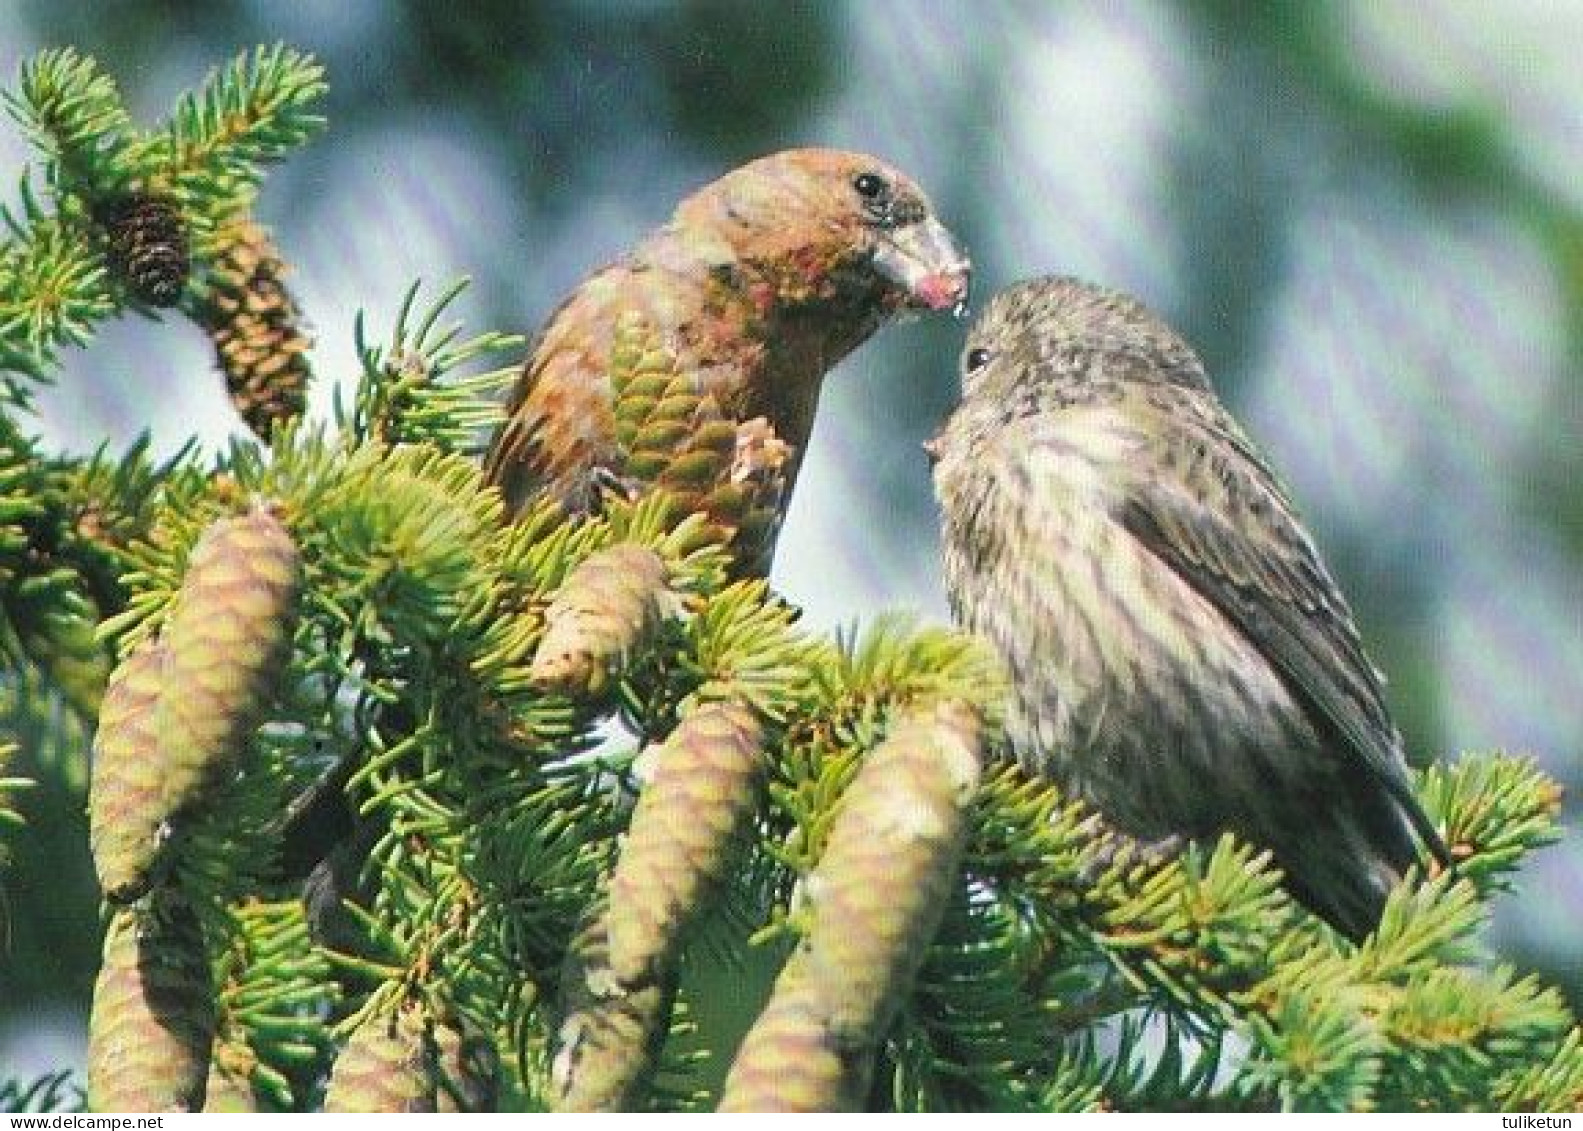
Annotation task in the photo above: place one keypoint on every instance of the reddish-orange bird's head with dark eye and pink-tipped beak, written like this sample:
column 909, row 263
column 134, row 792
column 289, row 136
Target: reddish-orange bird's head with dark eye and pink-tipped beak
column 822, row 227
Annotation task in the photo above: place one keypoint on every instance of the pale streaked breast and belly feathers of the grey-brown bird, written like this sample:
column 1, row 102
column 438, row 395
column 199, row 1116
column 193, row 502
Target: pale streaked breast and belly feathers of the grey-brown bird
column 1095, row 628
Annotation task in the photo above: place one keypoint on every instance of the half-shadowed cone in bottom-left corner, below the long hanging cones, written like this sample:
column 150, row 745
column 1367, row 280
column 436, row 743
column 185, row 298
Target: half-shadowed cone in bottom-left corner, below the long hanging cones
column 154, row 1015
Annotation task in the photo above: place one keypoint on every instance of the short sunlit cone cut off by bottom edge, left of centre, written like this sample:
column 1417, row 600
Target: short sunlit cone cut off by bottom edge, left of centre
column 387, row 1065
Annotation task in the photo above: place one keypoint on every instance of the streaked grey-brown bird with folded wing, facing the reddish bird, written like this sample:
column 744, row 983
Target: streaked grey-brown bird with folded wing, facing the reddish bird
column 1180, row 655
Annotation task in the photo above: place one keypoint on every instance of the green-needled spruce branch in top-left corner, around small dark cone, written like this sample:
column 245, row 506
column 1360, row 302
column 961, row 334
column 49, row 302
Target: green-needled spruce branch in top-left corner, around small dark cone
column 129, row 207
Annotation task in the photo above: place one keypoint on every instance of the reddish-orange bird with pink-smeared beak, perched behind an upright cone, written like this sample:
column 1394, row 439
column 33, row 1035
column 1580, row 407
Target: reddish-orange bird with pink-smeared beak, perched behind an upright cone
column 759, row 286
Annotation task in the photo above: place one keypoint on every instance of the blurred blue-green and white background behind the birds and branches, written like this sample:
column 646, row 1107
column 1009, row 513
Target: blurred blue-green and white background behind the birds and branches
column 1369, row 218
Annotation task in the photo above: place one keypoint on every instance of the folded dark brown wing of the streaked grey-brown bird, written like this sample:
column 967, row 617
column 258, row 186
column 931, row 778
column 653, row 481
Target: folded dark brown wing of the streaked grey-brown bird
column 1274, row 587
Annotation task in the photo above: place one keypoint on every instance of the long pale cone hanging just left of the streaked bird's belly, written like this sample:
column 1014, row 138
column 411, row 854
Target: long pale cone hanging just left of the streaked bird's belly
column 889, row 867
